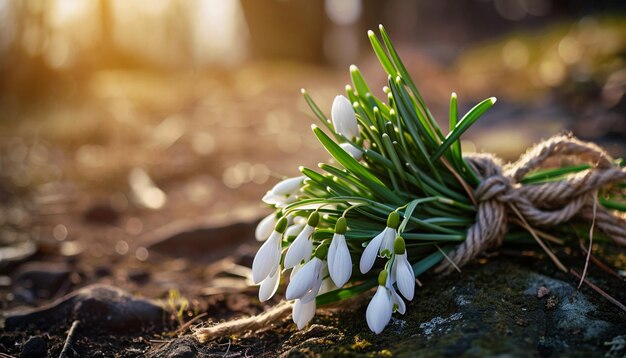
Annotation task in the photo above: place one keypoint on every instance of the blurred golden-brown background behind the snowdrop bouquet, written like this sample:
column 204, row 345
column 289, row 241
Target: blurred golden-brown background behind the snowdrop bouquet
column 119, row 117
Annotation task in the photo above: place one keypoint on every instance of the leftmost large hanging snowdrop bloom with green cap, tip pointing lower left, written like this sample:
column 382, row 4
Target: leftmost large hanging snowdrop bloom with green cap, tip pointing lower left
column 267, row 259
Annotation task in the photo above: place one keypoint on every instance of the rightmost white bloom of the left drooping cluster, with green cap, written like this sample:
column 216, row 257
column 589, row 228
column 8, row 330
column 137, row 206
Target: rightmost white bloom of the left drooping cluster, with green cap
column 339, row 260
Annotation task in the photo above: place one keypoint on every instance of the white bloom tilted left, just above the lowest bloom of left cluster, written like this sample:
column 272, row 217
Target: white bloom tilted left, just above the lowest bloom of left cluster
column 306, row 282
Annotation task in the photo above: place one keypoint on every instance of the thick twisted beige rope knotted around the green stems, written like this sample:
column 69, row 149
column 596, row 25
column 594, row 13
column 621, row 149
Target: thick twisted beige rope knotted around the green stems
column 500, row 194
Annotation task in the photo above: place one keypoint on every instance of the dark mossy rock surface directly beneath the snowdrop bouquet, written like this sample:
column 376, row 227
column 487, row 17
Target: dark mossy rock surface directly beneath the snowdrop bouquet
column 488, row 310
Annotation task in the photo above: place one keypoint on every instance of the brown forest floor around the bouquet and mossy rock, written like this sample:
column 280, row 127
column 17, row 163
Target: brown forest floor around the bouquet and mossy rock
column 129, row 214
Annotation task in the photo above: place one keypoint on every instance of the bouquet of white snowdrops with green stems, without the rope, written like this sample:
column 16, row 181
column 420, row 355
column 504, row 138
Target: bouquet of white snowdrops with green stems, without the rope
column 394, row 201
